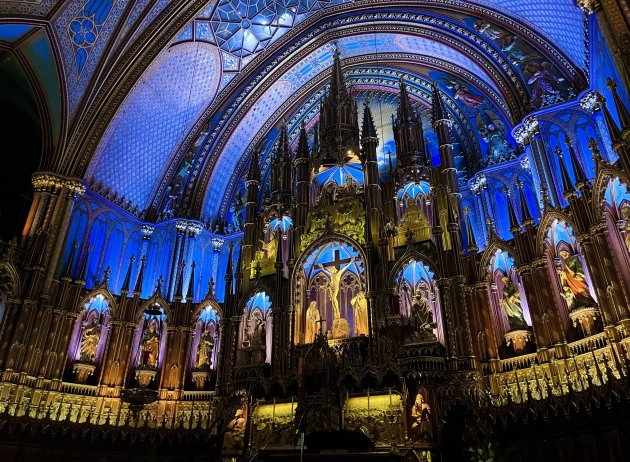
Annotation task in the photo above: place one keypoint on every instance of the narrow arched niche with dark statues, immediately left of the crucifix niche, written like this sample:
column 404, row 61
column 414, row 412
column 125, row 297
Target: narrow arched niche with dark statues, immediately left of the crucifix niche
column 256, row 330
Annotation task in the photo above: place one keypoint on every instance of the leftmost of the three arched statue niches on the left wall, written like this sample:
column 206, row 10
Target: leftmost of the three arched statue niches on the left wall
column 89, row 339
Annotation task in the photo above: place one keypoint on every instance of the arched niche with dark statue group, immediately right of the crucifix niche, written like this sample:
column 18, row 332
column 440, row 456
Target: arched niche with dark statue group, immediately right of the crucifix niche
column 418, row 298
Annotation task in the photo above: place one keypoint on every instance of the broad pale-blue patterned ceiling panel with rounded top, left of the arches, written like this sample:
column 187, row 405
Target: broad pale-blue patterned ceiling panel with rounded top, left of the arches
column 139, row 143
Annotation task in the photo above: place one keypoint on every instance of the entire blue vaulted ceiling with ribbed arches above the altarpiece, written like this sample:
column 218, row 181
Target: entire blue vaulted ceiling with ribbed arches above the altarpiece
column 145, row 83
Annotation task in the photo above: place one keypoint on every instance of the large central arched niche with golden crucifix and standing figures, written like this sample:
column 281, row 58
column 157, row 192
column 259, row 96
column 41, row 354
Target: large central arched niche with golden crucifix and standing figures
column 331, row 295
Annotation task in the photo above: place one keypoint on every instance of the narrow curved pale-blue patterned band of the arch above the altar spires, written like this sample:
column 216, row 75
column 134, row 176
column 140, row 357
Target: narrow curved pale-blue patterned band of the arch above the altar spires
column 298, row 76
